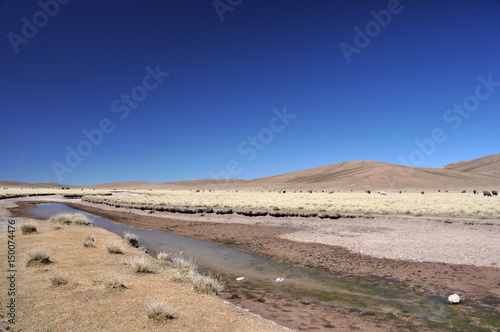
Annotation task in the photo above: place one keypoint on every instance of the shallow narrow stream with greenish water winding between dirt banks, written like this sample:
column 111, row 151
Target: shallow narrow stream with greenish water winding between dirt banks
column 299, row 282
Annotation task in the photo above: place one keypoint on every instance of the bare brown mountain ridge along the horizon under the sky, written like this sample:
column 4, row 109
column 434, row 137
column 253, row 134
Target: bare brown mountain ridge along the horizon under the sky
column 481, row 174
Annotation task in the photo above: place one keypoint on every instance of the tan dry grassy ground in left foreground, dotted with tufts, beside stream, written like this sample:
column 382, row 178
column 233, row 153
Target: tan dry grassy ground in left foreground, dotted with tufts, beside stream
column 90, row 302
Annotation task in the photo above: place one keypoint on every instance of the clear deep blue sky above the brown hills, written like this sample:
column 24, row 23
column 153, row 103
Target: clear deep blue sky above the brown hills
column 72, row 66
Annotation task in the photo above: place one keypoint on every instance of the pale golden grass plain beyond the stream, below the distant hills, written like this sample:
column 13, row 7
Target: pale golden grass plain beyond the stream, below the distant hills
column 412, row 203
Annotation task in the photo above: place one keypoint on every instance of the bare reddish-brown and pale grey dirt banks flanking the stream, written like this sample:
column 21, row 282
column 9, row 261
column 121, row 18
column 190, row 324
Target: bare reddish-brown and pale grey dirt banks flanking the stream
column 430, row 255
